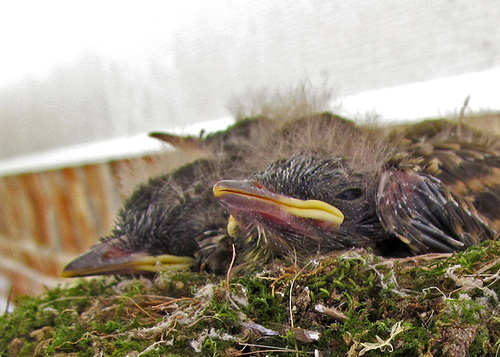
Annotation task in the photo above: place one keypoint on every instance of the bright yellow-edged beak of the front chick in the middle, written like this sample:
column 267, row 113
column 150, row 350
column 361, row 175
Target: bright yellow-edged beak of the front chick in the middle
column 252, row 197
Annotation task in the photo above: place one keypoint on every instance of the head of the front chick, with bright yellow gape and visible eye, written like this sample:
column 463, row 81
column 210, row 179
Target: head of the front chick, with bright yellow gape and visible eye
column 304, row 205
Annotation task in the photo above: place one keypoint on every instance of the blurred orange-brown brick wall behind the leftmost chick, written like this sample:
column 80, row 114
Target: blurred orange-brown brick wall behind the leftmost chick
column 48, row 218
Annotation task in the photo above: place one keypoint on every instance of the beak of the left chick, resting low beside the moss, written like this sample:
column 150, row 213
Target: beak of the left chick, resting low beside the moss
column 109, row 258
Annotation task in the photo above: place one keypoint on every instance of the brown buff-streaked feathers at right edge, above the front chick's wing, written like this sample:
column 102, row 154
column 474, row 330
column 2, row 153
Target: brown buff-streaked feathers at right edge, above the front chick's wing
column 465, row 159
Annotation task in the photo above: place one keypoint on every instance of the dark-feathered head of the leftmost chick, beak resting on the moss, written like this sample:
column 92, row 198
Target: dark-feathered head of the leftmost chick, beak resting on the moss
column 158, row 227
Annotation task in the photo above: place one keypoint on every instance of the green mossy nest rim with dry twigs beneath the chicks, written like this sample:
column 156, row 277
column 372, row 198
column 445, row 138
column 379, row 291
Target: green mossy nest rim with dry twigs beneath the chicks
column 349, row 304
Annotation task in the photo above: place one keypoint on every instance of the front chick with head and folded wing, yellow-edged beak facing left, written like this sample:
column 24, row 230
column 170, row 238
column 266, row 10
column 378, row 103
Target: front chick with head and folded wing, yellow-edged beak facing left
column 309, row 205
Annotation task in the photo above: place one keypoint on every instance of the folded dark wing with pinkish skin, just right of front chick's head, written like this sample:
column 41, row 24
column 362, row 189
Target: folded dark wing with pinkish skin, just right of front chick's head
column 421, row 211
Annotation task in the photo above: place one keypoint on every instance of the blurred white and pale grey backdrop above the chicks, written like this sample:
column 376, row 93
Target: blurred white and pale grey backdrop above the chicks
column 80, row 72
